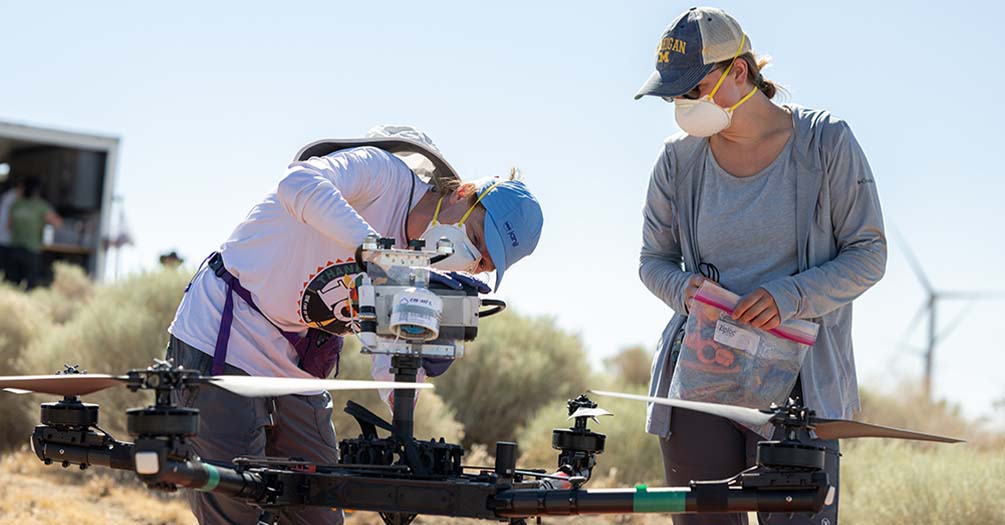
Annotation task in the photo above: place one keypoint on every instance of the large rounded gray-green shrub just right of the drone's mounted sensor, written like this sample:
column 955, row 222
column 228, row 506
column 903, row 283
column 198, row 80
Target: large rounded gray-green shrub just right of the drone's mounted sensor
column 518, row 365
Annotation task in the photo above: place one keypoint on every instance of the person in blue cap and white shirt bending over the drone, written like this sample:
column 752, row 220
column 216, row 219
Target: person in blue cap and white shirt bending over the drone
column 275, row 300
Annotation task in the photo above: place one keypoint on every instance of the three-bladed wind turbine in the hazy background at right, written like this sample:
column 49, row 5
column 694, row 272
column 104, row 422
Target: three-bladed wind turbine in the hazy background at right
column 931, row 307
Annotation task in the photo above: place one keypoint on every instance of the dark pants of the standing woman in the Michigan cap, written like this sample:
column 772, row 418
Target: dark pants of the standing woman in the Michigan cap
column 703, row 447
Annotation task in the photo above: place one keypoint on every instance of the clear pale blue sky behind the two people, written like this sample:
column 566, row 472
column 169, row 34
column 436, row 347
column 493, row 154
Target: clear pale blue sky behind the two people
column 213, row 101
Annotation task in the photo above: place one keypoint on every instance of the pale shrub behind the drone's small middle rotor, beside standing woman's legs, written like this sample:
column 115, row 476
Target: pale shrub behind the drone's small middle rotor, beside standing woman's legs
column 632, row 455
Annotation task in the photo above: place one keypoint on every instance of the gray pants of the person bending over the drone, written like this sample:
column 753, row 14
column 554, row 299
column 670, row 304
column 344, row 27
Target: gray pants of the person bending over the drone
column 233, row 426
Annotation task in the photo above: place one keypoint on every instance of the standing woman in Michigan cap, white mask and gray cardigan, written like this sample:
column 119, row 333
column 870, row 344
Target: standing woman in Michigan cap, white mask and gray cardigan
column 777, row 203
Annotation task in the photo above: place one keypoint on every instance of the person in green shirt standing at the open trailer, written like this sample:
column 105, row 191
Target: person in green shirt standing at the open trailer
column 29, row 217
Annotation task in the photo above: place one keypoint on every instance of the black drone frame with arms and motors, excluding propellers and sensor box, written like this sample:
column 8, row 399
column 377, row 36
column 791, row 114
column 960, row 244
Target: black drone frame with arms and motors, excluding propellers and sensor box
column 400, row 477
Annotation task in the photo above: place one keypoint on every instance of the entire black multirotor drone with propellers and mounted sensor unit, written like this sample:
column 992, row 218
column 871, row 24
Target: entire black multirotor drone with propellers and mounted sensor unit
column 405, row 313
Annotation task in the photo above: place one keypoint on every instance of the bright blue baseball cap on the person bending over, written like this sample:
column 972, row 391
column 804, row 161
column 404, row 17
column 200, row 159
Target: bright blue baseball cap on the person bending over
column 513, row 224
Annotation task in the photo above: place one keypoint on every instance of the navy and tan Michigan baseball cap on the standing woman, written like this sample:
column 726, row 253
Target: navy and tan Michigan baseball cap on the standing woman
column 691, row 47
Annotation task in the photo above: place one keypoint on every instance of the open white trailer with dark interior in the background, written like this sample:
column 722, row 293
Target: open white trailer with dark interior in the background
column 78, row 172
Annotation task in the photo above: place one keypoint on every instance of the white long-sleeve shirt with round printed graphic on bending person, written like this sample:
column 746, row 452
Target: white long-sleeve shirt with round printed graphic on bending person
column 295, row 253
